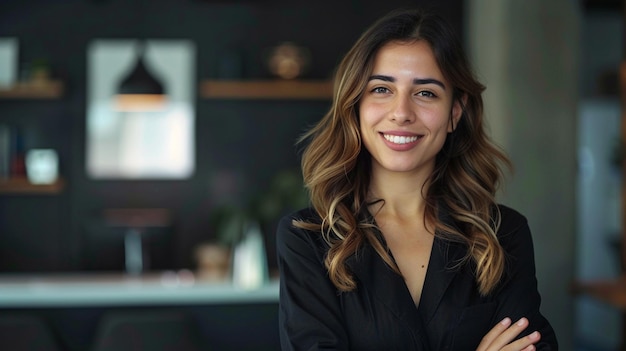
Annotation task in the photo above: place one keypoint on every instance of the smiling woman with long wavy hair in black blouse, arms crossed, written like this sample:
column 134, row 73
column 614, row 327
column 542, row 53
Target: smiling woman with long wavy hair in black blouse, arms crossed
column 404, row 247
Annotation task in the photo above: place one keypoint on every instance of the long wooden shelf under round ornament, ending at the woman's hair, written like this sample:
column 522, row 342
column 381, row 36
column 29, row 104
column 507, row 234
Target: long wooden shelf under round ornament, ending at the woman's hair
column 267, row 89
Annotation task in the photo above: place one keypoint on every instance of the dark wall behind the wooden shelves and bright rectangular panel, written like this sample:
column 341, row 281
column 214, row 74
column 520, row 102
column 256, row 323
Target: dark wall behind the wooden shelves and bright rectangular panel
column 243, row 142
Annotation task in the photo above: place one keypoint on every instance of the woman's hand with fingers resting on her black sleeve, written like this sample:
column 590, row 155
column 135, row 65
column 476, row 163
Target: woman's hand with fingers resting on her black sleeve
column 500, row 337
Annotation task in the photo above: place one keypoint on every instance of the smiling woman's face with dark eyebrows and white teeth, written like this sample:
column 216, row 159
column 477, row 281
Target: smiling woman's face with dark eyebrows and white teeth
column 406, row 108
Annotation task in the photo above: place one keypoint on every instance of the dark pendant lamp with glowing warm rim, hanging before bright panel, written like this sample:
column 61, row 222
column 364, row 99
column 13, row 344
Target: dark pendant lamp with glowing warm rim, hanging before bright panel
column 140, row 90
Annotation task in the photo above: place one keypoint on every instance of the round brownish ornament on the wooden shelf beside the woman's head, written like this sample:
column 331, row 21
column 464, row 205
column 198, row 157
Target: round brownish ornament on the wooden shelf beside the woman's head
column 288, row 60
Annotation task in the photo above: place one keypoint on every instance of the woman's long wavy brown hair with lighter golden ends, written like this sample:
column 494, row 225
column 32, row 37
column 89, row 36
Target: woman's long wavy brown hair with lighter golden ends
column 468, row 169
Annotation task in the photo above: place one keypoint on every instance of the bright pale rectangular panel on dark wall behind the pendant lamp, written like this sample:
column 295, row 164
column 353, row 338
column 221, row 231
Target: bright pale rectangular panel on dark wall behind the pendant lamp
column 152, row 144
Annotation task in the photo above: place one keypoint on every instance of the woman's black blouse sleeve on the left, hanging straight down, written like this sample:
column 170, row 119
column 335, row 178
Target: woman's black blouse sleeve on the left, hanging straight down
column 310, row 317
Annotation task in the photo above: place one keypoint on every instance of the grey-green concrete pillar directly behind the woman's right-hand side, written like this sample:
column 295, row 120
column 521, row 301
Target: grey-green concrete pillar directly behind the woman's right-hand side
column 526, row 52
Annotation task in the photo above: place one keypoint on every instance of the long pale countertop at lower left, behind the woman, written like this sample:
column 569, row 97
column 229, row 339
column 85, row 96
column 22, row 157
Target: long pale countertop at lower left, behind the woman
column 167, row 288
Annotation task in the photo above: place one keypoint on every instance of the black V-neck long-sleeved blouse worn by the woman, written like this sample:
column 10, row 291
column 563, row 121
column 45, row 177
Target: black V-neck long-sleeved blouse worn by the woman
column 381, row 315
